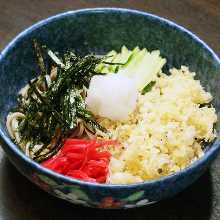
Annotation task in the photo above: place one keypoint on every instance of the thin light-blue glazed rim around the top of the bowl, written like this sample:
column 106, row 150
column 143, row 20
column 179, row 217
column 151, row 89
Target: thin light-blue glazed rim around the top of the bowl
column 214, row 149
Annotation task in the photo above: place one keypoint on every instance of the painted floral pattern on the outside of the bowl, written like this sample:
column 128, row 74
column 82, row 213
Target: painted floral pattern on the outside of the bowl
column 76, row 195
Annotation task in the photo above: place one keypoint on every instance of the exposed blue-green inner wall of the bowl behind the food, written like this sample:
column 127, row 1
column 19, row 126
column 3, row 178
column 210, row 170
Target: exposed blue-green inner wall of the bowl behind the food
column 98, row 31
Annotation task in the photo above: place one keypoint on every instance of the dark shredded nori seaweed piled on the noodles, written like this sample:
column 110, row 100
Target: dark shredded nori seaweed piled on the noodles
column 61, row 104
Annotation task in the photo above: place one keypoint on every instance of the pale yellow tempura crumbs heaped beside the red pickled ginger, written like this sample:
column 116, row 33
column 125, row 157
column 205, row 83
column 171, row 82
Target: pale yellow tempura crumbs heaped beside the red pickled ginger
column 164, row 133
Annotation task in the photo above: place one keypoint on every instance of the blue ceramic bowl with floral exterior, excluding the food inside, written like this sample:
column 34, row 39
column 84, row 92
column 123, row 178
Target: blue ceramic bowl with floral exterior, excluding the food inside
column 97, row 31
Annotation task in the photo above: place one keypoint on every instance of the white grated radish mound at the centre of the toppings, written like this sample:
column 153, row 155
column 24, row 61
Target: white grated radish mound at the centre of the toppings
column 112, row 96
